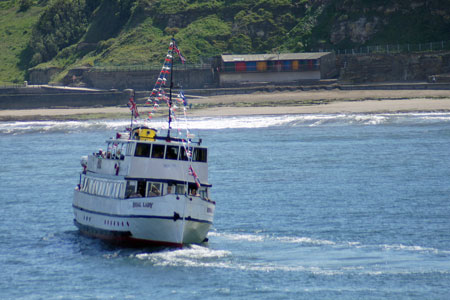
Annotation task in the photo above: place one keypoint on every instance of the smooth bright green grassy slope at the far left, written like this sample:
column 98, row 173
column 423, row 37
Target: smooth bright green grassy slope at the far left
column 15, row 31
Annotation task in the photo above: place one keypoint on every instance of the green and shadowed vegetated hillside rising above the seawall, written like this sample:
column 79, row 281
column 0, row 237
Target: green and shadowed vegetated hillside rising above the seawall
column 72, row 33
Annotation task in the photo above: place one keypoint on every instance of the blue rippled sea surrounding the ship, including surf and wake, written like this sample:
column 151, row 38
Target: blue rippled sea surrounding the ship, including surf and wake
column 345, row 206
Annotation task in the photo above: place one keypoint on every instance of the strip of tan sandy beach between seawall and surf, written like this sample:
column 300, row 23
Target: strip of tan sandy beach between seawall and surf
column 298, row 102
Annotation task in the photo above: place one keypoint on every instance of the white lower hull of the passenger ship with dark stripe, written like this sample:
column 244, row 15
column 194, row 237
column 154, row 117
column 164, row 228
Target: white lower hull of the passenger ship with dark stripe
column 171, row 220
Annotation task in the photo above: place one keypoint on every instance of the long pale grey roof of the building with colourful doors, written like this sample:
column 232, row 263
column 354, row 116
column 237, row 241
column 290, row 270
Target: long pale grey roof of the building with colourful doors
column 272, row 56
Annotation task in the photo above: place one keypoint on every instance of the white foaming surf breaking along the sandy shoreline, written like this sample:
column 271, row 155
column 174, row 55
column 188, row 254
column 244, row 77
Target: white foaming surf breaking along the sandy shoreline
column 233, row 122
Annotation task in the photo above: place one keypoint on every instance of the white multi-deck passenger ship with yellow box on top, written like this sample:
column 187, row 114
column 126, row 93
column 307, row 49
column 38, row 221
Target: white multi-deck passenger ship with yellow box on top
column 146, row 188
